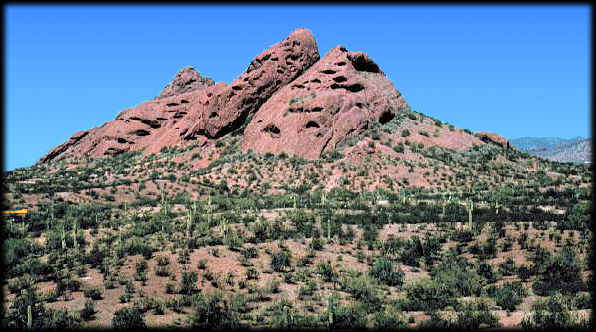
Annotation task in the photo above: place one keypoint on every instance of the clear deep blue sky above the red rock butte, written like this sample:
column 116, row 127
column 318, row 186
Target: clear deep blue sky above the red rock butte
column 514, row 70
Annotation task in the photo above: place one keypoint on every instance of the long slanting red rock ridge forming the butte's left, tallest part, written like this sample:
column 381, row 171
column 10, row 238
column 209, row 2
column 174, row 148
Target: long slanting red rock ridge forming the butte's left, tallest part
column 192, row 109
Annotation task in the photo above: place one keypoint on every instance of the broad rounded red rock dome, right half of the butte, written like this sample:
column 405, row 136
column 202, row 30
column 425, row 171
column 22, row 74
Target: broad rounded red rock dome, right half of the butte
column 337, row 98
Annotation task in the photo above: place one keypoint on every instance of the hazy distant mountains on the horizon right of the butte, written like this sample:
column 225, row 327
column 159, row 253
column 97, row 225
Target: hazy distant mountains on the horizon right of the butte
column 576, row 150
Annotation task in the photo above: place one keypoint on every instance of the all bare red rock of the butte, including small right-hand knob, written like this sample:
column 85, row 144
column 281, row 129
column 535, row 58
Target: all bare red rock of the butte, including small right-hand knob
column 288, row 100
